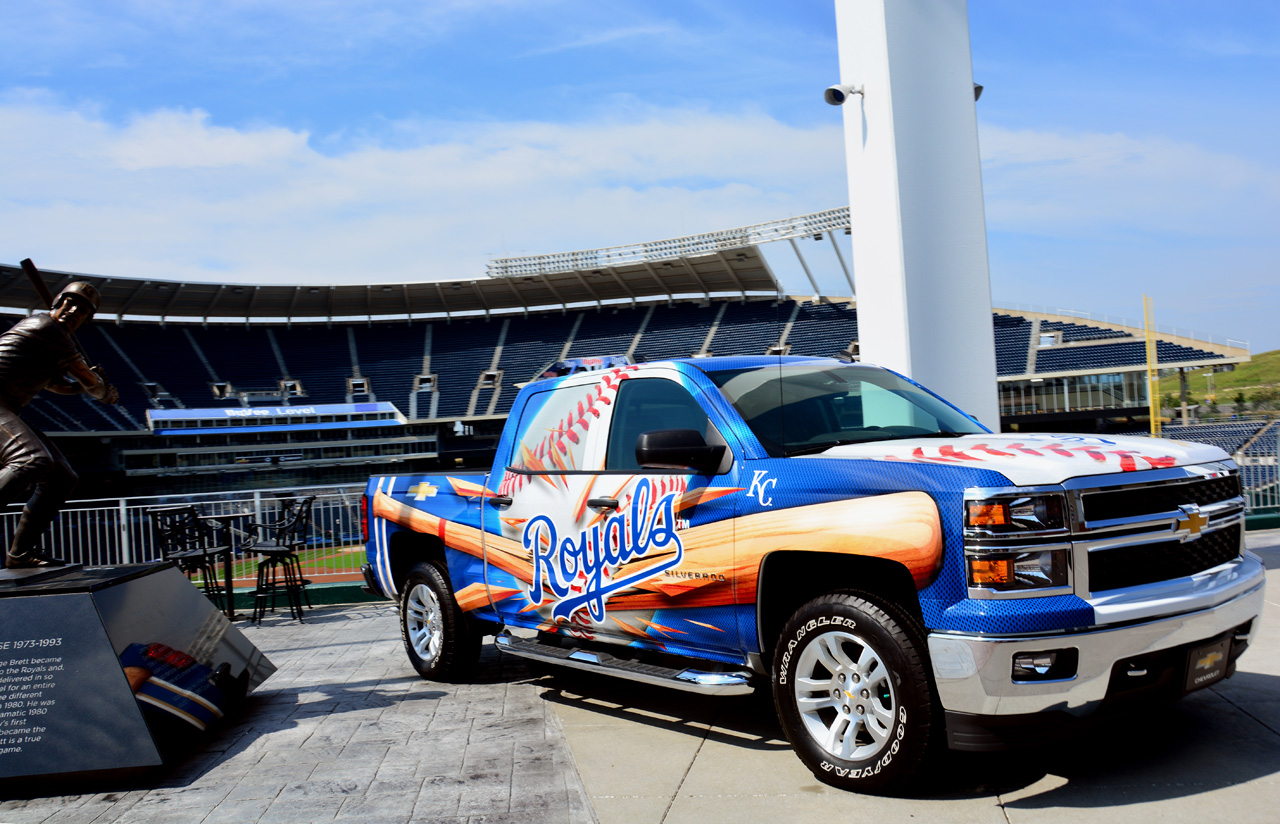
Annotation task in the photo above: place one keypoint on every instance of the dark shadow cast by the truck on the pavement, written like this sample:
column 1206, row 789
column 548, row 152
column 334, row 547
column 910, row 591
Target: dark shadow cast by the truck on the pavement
column 1150, row 752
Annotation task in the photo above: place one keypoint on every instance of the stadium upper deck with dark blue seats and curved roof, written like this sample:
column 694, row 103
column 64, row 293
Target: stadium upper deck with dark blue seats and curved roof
column 447, row 353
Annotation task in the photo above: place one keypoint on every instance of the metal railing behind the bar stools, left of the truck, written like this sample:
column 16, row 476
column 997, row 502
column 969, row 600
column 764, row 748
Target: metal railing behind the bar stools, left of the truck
column 115, row 532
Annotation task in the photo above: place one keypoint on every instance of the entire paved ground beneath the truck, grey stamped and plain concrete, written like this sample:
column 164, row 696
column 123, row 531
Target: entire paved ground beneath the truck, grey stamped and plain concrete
column 346, row 730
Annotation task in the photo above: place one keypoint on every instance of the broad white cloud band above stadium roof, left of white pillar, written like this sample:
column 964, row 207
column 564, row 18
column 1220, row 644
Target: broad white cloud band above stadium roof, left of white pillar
column 172, row 195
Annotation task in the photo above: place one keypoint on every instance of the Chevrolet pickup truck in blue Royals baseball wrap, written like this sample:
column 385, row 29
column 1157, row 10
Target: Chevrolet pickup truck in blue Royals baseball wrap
column 902, row 576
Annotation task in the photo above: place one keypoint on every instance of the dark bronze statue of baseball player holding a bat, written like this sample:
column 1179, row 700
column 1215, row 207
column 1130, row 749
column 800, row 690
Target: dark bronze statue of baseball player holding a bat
column 40, row 353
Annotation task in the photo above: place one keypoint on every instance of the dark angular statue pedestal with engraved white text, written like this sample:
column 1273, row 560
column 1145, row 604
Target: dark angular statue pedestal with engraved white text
column 109, row 671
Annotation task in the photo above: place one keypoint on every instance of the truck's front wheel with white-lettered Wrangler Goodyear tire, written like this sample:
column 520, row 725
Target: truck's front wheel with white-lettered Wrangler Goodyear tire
column 853, row 694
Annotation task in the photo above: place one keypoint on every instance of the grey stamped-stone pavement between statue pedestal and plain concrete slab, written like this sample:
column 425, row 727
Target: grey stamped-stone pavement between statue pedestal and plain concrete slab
column 346, row 730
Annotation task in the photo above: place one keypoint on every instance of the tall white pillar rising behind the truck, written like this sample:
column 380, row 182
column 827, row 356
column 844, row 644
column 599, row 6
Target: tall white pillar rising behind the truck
column 920, row 232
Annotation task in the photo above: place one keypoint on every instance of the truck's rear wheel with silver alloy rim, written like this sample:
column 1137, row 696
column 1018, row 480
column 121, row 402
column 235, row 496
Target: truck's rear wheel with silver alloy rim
column 440, row 640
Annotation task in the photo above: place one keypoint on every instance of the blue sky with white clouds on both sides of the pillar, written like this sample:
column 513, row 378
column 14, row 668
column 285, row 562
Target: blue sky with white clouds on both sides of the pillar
column 1128, row 147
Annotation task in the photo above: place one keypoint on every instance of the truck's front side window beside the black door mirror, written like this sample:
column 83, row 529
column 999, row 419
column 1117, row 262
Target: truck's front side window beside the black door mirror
column 644, row 405
